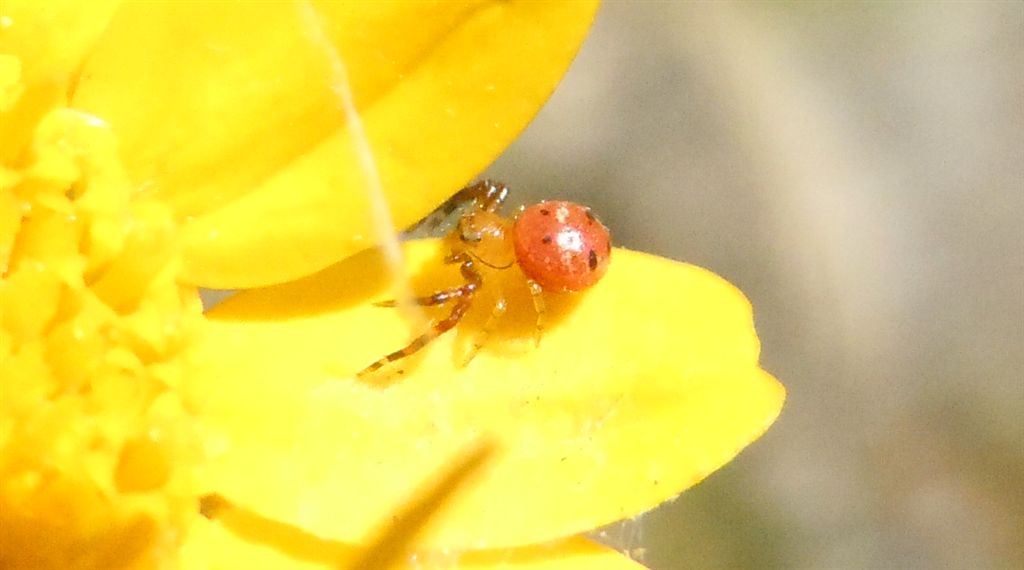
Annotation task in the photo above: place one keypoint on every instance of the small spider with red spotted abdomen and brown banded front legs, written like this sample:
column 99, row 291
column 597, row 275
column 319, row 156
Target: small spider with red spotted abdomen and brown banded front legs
column 560, row 246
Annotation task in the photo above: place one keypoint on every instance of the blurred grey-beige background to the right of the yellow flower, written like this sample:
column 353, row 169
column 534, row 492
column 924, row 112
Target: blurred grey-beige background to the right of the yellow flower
column 857, row 170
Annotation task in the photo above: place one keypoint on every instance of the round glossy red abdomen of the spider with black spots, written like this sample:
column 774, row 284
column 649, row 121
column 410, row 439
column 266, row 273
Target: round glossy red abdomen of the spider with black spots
column 562, row 246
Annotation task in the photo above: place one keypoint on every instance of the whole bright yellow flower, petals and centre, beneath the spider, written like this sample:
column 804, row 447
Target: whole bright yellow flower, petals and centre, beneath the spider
column 152, row 149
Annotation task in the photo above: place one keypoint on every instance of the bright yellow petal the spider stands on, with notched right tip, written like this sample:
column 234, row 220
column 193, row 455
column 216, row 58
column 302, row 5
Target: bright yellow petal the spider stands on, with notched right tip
column 642, row 387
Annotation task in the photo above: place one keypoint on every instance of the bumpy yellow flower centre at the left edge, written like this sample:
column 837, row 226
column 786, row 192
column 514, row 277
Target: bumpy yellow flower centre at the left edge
column 95, row 441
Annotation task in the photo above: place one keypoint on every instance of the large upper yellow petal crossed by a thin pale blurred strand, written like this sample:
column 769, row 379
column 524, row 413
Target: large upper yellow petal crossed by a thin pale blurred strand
column 229, row 113
